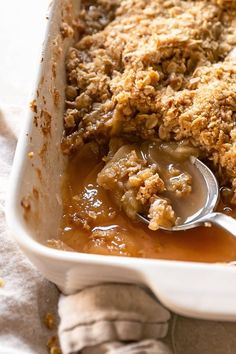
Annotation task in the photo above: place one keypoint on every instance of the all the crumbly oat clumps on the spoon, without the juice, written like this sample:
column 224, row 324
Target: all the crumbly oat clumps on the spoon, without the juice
column 138, row 188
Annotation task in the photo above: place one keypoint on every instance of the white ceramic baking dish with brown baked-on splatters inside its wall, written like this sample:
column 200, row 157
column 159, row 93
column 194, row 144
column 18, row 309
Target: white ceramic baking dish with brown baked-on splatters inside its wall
column 34, row 207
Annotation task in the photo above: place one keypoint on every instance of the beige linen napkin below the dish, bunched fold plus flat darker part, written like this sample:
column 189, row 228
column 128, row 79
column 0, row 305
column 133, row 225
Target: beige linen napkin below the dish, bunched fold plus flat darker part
column 105, row 313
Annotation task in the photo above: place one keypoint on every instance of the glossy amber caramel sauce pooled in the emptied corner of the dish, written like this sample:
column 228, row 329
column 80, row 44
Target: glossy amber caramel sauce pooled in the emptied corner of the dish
column 91, row 223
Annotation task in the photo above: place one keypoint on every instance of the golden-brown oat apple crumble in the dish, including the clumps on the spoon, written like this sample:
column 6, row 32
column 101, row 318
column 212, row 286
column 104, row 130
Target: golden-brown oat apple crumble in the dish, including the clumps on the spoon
column 146, row 73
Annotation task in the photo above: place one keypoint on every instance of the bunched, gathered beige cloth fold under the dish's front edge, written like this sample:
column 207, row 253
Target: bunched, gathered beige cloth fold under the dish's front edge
column 105, row 315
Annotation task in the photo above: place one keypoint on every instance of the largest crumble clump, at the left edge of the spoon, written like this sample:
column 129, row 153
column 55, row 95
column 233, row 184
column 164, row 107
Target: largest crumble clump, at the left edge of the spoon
column 132, row 182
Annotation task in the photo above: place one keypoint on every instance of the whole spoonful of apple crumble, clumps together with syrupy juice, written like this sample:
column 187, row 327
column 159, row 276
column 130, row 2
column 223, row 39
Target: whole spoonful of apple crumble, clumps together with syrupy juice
column 152, row 179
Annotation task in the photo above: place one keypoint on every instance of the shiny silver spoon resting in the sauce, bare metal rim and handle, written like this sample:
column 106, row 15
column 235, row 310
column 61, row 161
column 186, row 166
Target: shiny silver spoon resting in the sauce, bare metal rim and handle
column 206, row 216
